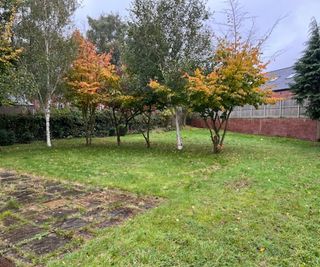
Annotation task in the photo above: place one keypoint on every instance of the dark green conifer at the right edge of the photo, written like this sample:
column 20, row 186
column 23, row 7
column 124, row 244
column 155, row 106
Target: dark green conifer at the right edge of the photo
column 306, row 84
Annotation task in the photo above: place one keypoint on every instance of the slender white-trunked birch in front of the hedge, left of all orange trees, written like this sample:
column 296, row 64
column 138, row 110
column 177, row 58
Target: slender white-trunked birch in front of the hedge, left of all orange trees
column 43, row 31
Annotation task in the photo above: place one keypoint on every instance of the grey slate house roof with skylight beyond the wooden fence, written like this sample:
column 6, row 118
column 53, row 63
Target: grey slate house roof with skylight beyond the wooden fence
column 280, row 79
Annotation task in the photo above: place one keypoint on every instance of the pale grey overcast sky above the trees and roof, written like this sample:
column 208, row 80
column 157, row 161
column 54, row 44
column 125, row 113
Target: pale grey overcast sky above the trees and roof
column 289, row 37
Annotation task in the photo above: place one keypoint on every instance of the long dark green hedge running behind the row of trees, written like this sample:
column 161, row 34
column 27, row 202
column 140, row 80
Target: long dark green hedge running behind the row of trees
column 67, row 124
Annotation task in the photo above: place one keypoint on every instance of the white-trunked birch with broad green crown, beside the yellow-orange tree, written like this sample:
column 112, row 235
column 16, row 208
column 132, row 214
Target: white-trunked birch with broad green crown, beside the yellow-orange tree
column 165, row 40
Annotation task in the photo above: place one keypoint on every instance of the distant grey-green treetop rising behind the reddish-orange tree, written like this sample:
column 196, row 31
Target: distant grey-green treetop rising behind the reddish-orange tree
column 107, row 33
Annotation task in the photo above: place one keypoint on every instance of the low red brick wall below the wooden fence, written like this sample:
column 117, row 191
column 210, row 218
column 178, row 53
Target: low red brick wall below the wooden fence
column 304, row 129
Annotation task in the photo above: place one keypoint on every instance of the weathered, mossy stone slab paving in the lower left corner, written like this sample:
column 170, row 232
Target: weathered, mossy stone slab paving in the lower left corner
column 42, row 219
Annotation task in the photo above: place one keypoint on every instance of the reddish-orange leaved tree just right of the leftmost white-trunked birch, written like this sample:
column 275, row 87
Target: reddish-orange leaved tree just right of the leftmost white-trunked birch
column 85, row 80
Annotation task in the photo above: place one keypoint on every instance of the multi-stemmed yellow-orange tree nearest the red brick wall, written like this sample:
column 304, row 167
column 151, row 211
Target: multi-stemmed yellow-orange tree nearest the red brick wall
column 236, row 80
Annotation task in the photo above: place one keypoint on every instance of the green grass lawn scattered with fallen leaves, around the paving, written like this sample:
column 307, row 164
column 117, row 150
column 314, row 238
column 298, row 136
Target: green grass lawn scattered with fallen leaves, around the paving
column 256, row 204
